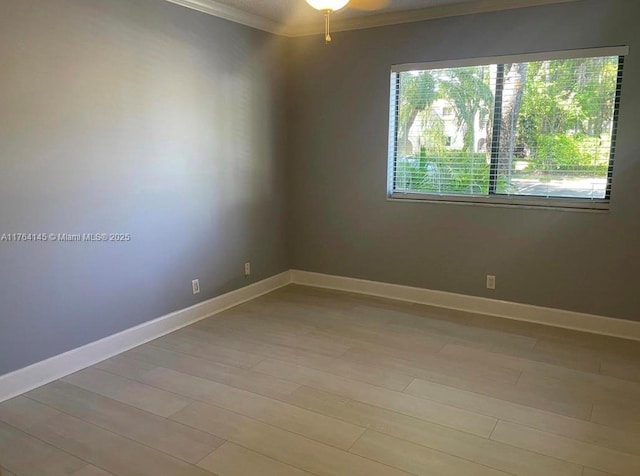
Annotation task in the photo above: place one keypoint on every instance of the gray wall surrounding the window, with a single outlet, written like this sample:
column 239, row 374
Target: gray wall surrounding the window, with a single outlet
column 341, row 222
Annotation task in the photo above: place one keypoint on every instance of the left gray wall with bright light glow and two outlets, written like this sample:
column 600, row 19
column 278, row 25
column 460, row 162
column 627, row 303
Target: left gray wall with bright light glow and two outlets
column 141, row 117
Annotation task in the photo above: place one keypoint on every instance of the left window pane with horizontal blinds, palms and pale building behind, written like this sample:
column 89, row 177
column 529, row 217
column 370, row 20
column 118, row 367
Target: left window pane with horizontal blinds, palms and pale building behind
column 443, row 120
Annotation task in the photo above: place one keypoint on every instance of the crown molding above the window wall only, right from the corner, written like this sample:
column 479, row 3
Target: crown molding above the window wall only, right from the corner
column 417, row 15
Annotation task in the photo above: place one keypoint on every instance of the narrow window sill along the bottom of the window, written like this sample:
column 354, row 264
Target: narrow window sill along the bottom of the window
column 564, row 204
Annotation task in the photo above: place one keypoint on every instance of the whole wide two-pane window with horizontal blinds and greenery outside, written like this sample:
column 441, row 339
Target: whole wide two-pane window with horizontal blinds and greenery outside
column 534, row 129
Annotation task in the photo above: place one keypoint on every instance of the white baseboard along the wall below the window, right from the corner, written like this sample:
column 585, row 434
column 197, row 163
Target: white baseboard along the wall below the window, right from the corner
column 492, row 307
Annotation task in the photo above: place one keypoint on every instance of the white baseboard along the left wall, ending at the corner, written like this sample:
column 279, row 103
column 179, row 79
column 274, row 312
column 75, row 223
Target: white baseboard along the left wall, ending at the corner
column 40, row 373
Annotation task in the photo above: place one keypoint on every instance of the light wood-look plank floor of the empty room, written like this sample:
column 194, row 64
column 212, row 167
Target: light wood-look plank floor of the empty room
column 306, row 381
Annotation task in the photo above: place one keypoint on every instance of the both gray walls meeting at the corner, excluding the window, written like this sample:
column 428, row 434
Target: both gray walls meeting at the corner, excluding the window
column 143, row 117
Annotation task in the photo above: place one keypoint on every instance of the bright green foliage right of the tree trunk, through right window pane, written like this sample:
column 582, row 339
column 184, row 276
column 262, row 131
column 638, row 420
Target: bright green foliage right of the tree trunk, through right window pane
column 566, row 114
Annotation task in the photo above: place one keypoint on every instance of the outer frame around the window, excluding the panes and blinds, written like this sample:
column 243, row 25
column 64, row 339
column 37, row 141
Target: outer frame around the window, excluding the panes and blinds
column 499, row 199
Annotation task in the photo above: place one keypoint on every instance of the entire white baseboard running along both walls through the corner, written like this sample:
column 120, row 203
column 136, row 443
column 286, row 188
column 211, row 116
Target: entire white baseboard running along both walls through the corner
column 41, row 373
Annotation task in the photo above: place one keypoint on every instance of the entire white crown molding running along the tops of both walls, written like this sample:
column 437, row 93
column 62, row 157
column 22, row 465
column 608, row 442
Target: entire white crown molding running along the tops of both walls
column 212, row 7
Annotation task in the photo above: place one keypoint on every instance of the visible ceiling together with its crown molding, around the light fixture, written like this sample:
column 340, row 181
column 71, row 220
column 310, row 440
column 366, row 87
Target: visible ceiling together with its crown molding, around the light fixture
column 296, row 17
